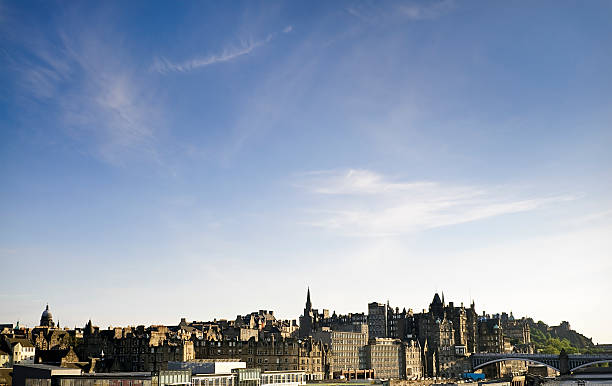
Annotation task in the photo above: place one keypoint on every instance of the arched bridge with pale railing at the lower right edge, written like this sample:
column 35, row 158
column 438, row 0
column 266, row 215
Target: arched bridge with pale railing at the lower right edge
column 562, row 363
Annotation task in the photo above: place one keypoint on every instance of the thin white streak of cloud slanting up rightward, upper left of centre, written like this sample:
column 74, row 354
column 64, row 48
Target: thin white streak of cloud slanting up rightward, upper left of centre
column 164, row 65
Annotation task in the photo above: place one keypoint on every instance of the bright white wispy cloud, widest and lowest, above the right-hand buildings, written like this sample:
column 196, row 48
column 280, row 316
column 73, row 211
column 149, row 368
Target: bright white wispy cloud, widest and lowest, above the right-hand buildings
column 364, row 203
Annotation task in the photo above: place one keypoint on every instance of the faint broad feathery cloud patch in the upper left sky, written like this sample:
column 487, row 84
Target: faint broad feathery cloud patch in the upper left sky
column 94, row 93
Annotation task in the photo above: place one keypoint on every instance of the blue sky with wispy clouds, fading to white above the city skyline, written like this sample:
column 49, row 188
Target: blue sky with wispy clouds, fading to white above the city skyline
column 161, row 160
